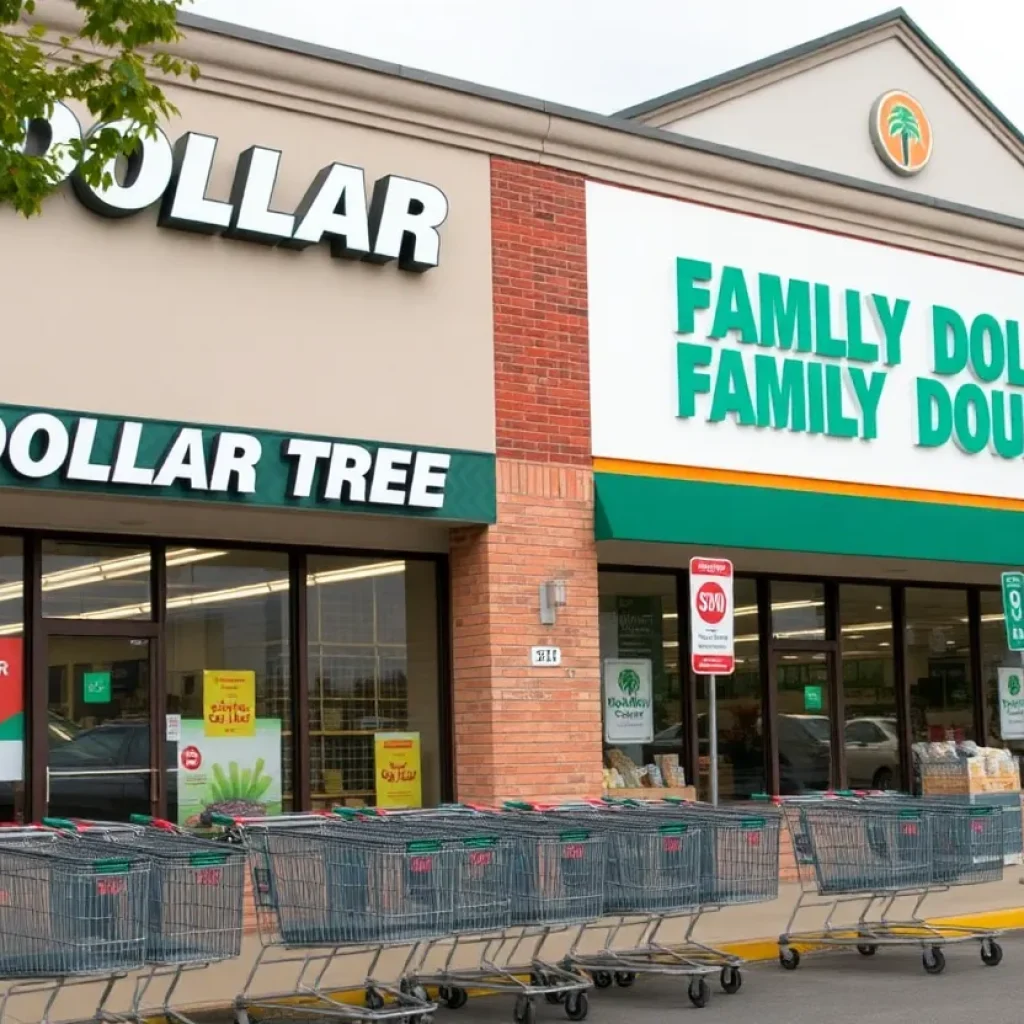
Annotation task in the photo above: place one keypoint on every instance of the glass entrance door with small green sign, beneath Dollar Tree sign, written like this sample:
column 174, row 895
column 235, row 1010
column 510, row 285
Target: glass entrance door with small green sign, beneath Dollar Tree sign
column 100, row 761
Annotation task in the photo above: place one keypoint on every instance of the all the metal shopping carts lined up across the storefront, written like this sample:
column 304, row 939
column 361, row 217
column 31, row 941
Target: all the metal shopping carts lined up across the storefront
column 534, row 904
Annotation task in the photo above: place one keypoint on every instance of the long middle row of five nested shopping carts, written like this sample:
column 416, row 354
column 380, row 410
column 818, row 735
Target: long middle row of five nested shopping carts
column 534, row 904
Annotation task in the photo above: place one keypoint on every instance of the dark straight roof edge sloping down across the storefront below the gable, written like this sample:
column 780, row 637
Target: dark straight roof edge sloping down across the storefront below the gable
column 610, row 122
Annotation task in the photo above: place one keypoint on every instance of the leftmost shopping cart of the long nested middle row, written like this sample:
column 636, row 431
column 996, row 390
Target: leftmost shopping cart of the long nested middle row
column 328, row 894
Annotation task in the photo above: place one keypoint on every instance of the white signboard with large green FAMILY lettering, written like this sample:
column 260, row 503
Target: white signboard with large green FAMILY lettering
column 733, row 343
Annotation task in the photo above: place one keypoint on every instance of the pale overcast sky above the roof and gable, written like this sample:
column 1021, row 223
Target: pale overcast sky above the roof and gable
column 606, row 55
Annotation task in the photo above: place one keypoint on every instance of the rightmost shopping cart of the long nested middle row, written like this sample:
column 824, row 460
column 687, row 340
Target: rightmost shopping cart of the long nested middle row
column 737, row 862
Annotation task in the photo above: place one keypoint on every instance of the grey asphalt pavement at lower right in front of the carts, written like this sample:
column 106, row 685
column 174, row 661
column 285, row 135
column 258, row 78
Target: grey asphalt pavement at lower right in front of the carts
column 840, row 989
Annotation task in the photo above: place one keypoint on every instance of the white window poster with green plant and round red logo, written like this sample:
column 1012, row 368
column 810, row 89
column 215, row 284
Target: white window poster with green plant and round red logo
column 234, row 776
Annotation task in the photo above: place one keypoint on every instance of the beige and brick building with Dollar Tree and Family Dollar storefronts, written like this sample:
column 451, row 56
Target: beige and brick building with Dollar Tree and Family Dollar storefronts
column 373, row 382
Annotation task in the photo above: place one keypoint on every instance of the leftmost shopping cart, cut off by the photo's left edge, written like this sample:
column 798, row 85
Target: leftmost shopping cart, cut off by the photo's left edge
column 71, row 913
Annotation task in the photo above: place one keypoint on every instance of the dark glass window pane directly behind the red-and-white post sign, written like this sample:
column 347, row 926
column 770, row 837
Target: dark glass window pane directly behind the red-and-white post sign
column 741, row 743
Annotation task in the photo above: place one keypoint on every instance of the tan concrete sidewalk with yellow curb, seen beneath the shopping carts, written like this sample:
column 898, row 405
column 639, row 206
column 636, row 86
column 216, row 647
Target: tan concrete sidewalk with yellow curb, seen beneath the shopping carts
column 751, row 932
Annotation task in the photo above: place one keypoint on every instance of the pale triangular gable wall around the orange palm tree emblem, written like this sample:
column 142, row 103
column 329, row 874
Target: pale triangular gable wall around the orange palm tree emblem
column 820, row 116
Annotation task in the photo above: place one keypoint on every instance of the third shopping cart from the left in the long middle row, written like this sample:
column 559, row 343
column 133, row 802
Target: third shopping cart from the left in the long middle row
column 554, row 881
